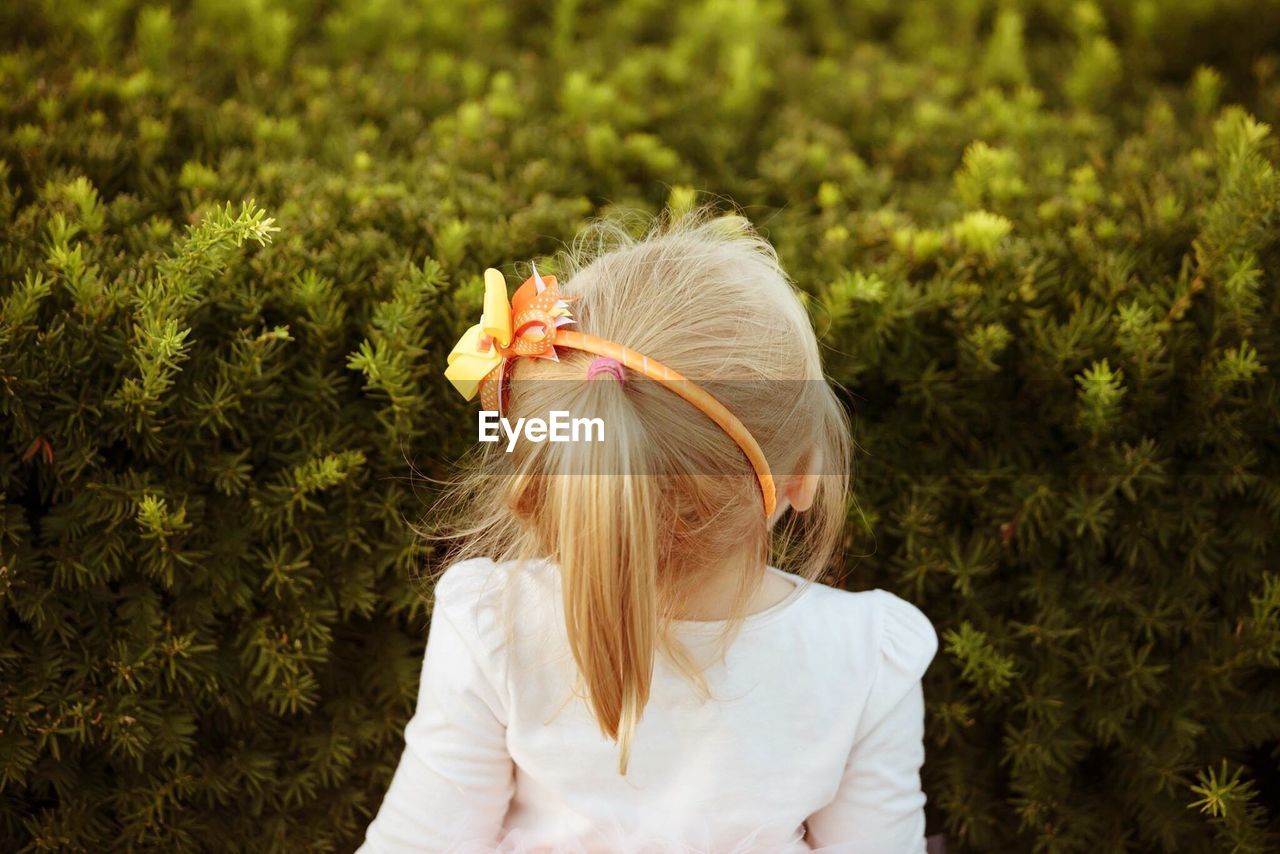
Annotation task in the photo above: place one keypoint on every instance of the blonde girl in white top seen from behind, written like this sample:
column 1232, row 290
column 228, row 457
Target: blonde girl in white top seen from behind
column 618, row 657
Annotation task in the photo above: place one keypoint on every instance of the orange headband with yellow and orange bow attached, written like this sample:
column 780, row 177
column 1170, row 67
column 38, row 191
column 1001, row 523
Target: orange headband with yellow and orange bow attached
column 531, row 326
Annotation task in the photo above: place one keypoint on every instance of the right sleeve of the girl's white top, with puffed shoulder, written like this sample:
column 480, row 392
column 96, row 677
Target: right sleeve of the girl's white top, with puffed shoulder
column 880, row 805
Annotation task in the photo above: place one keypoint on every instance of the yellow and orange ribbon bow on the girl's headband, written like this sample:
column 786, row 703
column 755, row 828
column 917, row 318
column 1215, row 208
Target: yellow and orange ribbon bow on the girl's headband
column 527, row 326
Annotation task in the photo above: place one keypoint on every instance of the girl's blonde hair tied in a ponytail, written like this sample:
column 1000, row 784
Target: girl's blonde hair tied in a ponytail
column 633, row 520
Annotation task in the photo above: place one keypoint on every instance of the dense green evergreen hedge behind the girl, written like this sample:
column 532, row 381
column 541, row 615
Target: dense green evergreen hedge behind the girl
column 1039, row 240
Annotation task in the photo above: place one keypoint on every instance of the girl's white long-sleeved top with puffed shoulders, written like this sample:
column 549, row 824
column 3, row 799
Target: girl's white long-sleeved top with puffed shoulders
column 813, row 738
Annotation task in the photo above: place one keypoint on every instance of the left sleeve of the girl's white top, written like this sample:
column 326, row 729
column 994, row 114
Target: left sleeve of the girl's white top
column 455, row 779
